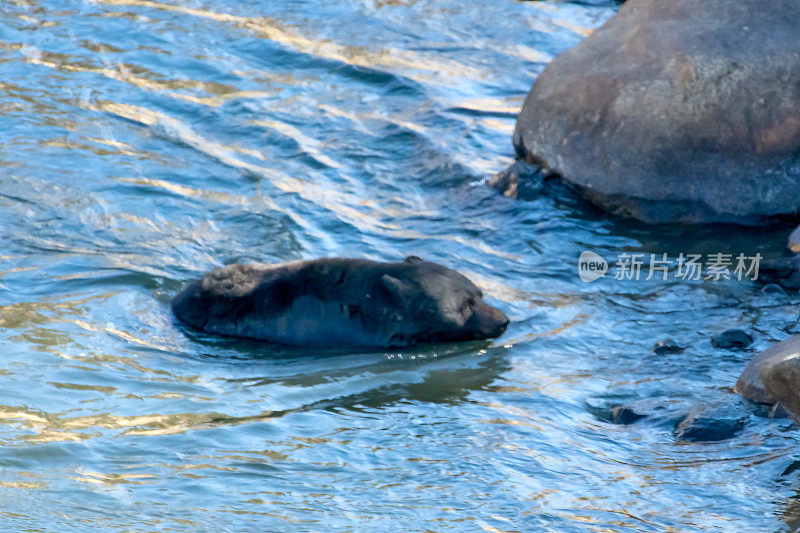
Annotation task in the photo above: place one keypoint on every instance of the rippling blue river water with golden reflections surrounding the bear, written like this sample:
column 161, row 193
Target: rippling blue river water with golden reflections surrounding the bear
column 144, row 142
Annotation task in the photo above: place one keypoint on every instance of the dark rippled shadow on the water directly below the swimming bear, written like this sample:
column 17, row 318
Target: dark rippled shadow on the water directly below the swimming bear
column 428, row 373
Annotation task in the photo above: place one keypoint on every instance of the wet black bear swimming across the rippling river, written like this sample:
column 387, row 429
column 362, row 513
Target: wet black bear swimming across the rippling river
column 340, row 302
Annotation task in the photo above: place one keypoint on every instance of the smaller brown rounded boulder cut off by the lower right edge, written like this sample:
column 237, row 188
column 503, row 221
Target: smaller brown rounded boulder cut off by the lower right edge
column 773, row 377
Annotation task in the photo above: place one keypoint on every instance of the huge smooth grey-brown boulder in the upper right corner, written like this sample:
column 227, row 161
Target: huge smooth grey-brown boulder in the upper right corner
column 679, row 110
